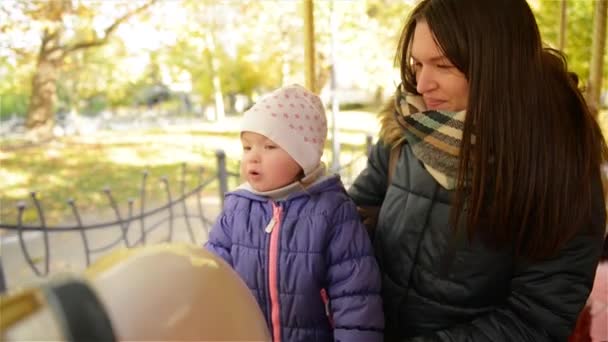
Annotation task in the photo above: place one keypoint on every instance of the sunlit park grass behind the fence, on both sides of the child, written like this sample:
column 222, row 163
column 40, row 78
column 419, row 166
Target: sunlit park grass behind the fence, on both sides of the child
column 80, row 168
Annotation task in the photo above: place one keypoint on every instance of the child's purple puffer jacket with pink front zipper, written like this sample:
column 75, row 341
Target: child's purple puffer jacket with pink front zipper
column 307, row 260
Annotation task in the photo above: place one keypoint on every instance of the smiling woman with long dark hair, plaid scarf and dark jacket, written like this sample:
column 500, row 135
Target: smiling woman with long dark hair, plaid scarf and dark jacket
column 490, row 227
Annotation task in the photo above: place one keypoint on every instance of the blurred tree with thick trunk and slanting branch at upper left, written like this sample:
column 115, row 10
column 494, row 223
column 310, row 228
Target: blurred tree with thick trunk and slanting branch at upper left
column 63, row 27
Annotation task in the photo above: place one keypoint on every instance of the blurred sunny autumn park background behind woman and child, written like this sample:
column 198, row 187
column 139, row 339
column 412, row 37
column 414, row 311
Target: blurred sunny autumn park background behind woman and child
column 106, row 103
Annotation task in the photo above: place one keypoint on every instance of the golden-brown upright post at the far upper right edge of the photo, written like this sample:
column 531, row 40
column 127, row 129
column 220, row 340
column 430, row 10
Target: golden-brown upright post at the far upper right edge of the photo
column 594, row 86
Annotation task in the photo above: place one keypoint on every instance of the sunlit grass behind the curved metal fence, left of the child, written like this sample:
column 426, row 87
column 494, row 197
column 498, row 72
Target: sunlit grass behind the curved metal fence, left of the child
column 69, row 169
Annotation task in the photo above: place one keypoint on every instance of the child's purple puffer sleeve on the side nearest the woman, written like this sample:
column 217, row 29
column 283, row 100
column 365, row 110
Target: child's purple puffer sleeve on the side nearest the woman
column 353, row 280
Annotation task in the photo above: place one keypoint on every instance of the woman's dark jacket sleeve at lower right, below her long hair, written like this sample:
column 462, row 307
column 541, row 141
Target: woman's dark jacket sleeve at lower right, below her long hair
column 546, row 296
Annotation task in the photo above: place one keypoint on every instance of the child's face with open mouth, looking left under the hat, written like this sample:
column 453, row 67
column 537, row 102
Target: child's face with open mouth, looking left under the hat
column 265, row 165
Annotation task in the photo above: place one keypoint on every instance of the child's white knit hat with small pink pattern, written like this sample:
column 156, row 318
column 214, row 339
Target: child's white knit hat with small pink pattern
column 294, row 118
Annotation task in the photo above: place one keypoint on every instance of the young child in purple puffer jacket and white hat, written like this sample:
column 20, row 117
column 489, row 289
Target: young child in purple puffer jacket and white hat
column 292, row 232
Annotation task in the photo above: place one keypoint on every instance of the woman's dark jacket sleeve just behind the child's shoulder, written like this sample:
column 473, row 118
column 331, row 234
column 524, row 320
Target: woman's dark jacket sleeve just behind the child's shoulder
column 370, row 185
